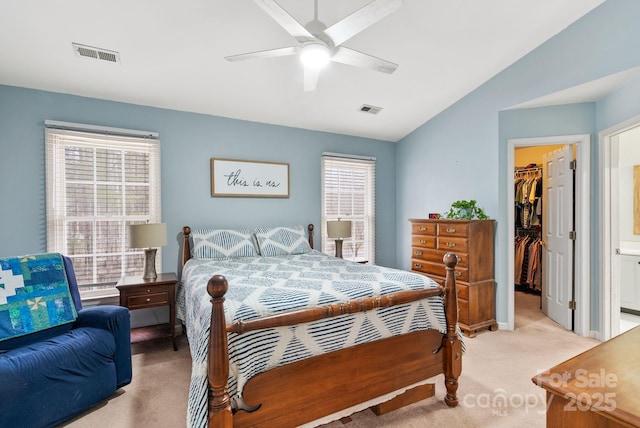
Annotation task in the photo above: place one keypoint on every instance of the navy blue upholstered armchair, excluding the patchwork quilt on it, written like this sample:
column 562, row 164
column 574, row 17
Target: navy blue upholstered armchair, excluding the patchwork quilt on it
column 52, row 375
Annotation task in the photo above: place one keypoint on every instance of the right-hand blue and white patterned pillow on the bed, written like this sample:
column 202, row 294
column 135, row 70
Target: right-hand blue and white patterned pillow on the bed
column 282, row 241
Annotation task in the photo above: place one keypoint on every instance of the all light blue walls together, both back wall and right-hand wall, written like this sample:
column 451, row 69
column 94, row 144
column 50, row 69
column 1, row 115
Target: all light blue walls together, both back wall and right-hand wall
column 459, row 154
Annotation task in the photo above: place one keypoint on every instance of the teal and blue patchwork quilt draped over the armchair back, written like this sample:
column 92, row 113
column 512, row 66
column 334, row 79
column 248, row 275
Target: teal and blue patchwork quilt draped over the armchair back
column 34, row 295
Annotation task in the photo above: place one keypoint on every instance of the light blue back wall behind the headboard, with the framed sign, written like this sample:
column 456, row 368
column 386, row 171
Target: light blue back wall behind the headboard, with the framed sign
column 188, row 141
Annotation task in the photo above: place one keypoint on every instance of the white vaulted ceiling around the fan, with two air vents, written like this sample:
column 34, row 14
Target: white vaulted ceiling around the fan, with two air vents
column 172, row 56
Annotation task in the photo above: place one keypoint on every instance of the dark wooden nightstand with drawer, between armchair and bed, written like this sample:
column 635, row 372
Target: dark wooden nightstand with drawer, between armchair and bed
column 138, row 293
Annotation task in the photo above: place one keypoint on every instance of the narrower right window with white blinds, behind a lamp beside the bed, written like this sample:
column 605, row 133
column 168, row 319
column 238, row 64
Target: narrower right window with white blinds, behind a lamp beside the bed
column 348, row 193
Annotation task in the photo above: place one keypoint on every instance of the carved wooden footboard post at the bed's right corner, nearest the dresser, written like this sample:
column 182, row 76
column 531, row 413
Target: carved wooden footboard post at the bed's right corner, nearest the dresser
column 452, row 345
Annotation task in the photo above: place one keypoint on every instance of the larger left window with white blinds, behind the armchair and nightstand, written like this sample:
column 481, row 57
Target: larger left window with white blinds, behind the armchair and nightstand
column 99, row 181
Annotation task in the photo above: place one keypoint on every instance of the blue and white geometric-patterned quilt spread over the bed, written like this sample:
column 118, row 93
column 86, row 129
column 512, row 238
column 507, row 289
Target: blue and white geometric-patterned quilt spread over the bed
column 261, row 286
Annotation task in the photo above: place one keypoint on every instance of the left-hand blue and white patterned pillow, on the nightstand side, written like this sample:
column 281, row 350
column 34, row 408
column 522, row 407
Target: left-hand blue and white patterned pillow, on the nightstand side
column 222, row 243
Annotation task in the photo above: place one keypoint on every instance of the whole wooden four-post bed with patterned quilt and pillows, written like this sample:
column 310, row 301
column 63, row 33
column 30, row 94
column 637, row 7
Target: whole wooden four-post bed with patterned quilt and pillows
column 283, row 335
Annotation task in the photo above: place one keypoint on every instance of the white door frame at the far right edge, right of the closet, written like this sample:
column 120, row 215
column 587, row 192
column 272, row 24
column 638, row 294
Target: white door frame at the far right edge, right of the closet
column 609, row 292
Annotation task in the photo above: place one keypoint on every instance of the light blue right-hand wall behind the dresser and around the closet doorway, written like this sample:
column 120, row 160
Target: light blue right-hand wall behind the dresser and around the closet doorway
column 462, row 153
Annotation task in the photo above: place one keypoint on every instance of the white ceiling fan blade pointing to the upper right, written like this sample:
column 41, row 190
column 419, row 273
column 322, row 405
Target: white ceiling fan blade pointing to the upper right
column 362, row 18
